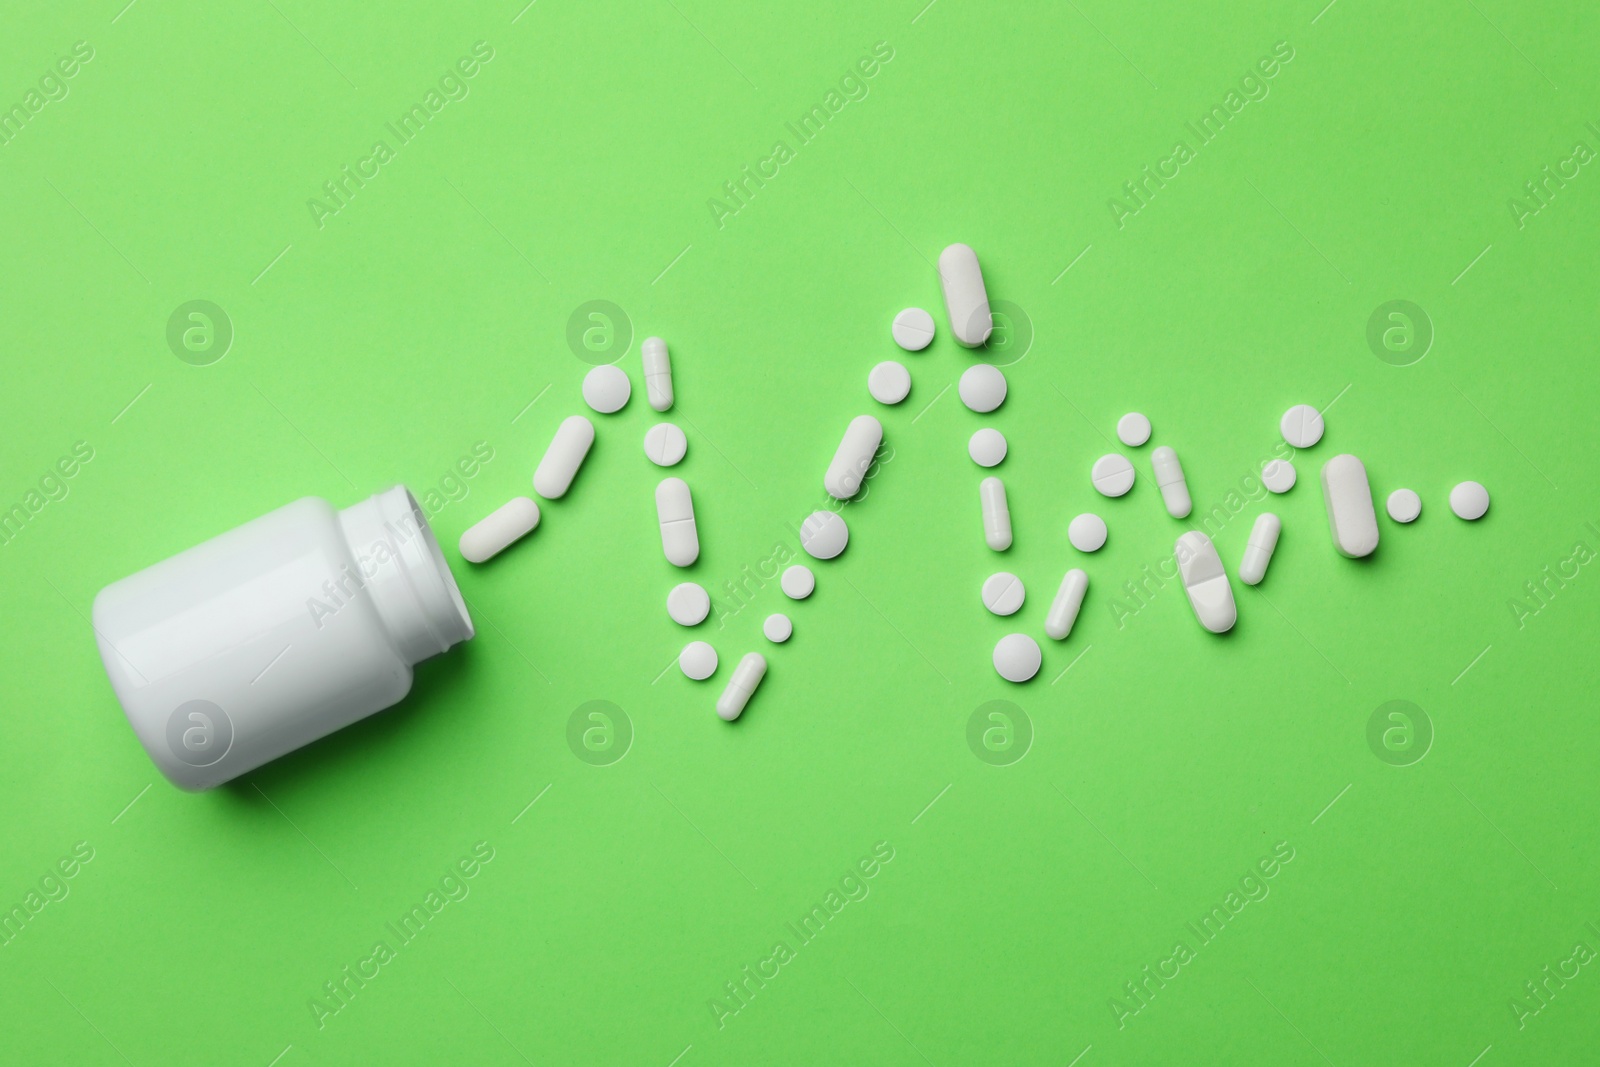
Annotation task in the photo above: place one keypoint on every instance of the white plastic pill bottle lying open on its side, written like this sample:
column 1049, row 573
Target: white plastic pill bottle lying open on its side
column 278, row 633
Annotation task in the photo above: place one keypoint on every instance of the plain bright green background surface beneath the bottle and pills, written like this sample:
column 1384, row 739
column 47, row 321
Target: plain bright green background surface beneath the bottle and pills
column 1164, row 762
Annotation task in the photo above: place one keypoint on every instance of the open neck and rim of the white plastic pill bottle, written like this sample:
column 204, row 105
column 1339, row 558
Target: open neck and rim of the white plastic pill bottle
column 402, row 569
